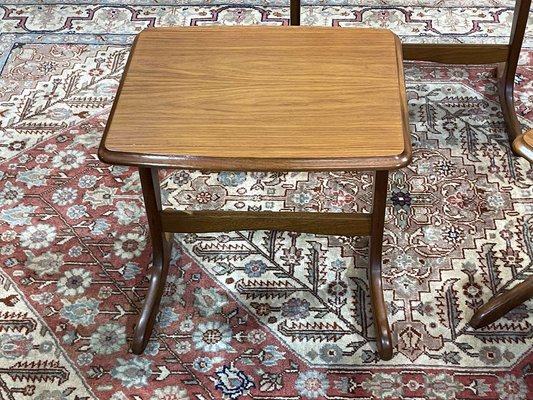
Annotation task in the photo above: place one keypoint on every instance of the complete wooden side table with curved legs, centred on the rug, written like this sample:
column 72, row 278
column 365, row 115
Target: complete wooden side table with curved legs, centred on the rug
column 261, row 99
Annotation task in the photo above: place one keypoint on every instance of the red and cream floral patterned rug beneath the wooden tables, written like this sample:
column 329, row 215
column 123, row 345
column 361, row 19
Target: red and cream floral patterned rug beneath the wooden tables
column 260, row 314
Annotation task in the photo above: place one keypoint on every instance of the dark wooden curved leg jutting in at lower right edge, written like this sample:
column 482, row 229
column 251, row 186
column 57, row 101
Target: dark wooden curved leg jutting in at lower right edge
column 501, row 304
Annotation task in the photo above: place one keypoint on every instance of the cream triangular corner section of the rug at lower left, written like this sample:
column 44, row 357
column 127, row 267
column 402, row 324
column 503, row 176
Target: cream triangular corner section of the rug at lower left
column 31, row 355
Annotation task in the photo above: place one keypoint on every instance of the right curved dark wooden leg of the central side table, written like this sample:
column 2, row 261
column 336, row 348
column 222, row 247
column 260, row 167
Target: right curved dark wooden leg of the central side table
column 379, row 309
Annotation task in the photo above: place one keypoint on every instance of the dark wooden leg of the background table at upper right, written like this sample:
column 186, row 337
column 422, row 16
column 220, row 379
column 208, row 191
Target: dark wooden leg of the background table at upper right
column 507, row 70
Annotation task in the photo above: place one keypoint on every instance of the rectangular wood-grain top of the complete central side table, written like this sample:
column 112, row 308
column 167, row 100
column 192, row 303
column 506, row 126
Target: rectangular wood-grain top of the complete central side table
column 261, row 98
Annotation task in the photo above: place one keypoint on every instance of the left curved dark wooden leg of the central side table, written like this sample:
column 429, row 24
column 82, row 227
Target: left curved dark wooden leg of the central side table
column 161, row 259
